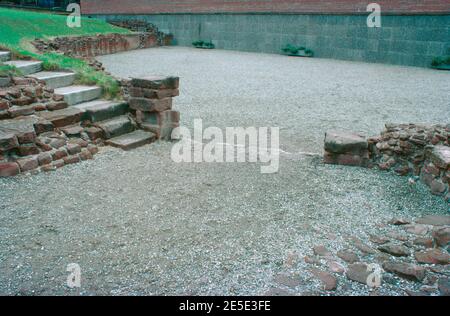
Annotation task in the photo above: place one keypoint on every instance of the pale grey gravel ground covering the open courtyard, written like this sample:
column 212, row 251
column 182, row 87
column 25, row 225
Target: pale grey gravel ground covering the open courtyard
column 138, row 223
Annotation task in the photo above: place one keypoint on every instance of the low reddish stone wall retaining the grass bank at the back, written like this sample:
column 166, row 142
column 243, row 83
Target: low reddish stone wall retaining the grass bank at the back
column 91, row 46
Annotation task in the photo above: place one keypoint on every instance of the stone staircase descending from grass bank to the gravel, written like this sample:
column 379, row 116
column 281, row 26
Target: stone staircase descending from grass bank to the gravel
column 109, row 117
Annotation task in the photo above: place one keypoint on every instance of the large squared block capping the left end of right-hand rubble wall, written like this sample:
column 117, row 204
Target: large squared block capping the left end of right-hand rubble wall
column 343, row 143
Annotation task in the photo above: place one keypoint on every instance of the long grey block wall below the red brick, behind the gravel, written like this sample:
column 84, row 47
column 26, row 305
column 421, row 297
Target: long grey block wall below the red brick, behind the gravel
column 406, row 40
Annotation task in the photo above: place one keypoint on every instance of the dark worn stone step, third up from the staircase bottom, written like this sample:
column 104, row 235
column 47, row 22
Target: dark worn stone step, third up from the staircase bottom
column 100, row 110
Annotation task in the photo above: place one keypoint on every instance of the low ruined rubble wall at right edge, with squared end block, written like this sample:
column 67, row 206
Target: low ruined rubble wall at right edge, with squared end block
column 420, row 151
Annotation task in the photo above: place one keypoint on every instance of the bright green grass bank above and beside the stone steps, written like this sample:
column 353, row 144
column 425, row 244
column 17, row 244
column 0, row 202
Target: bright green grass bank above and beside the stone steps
column 19, row 27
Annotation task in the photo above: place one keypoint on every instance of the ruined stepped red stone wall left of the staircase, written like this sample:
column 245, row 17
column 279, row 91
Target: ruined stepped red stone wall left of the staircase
column 30, row 143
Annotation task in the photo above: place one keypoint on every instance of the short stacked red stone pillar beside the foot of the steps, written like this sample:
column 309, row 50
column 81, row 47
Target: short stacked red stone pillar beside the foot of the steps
column 151, row 99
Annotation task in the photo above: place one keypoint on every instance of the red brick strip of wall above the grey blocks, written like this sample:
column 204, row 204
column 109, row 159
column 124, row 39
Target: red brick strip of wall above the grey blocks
column 260, row 6
